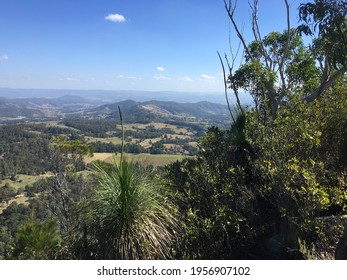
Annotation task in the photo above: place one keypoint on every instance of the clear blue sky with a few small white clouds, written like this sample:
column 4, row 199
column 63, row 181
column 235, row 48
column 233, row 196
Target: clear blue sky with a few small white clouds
column 153, row 45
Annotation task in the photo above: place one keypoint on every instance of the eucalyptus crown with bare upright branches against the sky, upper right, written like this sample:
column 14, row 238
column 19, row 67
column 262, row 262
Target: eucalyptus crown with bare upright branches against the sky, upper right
column 278, row 61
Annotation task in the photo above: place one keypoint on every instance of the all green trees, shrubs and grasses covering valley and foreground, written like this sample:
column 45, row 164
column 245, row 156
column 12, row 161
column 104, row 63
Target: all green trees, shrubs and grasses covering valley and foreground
column 271, row 184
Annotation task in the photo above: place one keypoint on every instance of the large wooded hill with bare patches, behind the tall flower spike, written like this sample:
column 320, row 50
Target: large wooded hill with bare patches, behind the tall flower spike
column 153, row 110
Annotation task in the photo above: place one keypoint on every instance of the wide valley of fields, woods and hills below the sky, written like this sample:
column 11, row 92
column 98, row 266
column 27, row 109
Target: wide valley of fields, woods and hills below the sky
column 156, row 133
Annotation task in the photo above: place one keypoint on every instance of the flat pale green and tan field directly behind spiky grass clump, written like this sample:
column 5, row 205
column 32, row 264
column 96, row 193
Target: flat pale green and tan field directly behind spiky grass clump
column 147, row 159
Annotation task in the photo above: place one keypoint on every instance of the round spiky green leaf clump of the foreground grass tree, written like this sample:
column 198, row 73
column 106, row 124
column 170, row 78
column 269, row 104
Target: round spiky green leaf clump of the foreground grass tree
column 137, row 218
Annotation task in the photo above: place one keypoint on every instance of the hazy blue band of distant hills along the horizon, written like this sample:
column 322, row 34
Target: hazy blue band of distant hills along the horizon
column 15, row 104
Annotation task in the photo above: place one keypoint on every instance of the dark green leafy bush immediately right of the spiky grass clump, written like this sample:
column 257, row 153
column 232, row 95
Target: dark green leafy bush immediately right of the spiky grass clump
column 216, row 195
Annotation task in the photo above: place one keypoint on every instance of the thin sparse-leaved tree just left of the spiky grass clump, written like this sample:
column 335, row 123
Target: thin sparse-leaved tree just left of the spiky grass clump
column 67, row 188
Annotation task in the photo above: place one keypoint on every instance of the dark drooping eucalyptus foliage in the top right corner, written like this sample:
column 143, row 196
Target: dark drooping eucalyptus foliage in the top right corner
column 326, row 20
